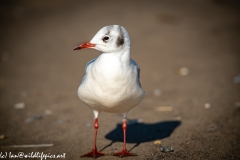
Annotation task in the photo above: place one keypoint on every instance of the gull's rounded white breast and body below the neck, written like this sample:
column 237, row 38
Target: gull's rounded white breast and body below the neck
column 111, row 85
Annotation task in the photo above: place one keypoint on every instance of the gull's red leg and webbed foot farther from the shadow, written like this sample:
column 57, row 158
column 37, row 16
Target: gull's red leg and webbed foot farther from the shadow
column 94, row 153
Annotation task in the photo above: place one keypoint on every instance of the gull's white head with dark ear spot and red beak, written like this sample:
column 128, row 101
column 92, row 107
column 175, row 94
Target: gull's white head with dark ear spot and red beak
column 108, row 39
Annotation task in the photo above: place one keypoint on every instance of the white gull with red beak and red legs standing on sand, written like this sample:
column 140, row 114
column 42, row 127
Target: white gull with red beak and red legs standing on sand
column 112, row 80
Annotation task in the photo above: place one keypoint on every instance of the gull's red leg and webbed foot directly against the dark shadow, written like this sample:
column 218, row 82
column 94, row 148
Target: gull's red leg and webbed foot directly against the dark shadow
column 124, row 152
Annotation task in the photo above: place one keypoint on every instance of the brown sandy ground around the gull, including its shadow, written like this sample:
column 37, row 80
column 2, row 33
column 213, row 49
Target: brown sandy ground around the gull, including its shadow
column 197, row 114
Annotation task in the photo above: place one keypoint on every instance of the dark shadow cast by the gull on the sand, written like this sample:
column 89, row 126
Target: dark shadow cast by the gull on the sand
column 142, row 132
